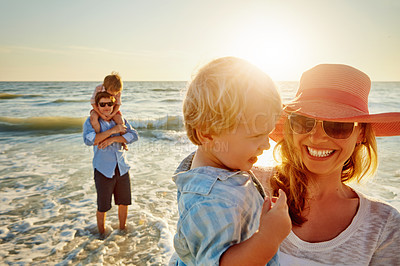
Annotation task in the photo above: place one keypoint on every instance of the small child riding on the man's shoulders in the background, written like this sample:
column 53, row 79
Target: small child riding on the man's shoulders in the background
column 113, row 85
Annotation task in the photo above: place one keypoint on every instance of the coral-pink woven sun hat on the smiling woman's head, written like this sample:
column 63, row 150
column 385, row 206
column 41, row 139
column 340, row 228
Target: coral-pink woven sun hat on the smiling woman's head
column 339, row 93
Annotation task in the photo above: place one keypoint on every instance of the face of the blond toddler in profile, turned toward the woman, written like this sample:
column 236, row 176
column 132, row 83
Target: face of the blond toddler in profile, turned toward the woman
column 239, row 149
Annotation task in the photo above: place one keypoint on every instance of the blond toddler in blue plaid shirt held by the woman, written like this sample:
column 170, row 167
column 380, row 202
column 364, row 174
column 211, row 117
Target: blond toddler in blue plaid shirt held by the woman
column 229, row 110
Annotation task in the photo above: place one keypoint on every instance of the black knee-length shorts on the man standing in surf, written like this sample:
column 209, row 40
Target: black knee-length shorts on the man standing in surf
column 118, row 185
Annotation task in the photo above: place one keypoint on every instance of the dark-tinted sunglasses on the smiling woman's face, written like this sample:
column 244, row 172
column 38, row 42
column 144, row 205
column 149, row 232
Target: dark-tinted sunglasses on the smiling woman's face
column 337, row 130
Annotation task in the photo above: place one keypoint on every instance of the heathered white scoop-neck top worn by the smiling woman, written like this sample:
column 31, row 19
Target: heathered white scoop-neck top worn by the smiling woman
column 372, row 238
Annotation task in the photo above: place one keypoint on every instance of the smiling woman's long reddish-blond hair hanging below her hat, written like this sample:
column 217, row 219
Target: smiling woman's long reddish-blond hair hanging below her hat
column 291, row 174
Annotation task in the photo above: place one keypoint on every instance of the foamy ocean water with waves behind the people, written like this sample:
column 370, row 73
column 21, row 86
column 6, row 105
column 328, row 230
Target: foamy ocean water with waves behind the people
column 47, row 193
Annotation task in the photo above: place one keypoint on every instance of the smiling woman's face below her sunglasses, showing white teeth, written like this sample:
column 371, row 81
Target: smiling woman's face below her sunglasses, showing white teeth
column 324, row 155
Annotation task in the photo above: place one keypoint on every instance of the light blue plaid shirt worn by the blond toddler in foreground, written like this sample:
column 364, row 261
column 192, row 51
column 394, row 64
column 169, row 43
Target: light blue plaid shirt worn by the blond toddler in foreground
column 217, row 209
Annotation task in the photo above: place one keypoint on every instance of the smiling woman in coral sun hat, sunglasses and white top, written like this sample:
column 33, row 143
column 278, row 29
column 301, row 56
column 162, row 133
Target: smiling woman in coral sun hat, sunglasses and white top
column 326, row 138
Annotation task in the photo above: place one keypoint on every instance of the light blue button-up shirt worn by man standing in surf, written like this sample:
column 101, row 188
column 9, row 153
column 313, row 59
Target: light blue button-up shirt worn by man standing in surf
column 105, row 160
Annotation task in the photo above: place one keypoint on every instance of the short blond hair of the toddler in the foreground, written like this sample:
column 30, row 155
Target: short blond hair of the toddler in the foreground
column 217, row 96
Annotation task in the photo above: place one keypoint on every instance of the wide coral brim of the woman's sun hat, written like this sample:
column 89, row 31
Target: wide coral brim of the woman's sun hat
column 383, row 124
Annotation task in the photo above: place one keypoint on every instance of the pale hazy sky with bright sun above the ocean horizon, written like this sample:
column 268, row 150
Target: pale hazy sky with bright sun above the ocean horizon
column 162, row 40
